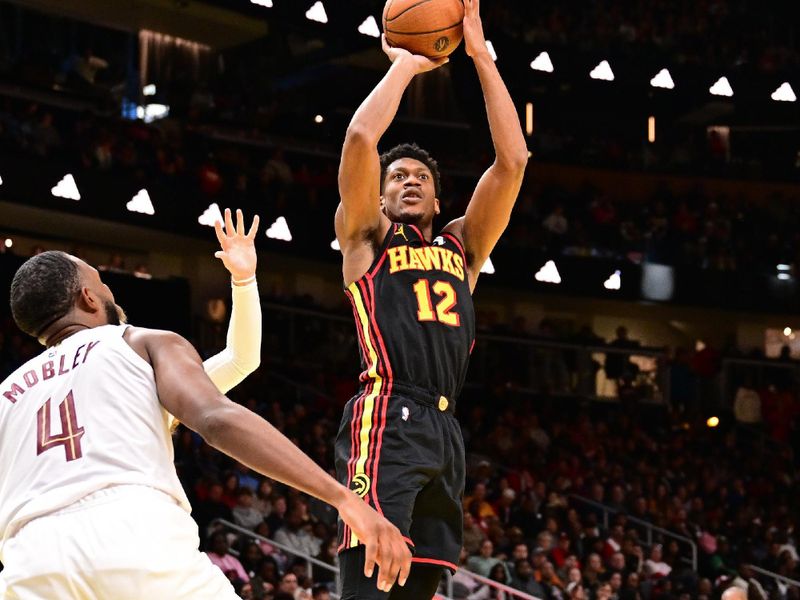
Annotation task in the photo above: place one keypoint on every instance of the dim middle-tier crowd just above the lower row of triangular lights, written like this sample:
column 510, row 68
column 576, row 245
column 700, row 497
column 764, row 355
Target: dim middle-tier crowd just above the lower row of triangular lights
column 688, row 229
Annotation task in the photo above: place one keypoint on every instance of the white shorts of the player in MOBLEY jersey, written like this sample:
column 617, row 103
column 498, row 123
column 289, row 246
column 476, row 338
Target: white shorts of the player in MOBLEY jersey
column 122, row 543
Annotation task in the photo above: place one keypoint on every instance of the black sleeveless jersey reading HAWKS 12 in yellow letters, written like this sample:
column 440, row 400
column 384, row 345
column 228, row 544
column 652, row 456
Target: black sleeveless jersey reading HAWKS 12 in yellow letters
column 414, row 314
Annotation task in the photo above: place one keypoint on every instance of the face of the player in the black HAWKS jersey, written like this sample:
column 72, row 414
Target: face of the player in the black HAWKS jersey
column 409, row 193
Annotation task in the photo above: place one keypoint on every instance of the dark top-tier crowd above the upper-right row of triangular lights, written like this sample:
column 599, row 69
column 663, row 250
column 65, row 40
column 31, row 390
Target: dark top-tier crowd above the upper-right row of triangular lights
column 744, row 34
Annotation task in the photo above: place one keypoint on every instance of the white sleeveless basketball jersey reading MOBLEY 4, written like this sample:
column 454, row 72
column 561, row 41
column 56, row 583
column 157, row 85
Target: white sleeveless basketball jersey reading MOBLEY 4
column 81, row 416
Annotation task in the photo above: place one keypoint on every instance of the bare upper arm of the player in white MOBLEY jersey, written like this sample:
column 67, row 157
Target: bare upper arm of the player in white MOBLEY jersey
column 183, row 387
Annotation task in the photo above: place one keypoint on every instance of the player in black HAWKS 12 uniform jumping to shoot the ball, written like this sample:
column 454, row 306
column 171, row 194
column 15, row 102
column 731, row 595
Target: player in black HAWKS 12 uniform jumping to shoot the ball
column 400, row 446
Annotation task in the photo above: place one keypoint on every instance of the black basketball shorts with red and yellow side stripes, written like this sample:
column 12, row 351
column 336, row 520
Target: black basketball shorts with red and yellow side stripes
column 404, row 454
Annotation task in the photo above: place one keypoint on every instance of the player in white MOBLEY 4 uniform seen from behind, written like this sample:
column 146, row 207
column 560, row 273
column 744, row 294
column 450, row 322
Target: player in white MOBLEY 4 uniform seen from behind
column 90, row 504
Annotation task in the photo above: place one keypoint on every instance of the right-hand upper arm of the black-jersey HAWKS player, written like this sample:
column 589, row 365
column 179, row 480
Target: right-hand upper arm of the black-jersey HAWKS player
column 489, row 211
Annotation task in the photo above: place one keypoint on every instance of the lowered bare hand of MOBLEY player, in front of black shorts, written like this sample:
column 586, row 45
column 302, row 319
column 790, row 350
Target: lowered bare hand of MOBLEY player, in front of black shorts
column 385, row 546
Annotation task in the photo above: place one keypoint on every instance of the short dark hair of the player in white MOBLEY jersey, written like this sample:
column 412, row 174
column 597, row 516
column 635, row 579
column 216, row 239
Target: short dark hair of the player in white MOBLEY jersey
column 43, row 290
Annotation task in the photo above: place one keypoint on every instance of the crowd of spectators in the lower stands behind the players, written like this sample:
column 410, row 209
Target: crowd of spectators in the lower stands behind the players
column 729, row 490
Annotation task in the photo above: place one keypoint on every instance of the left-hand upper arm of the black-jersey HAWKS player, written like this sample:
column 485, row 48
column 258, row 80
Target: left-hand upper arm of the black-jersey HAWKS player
column 359, row 186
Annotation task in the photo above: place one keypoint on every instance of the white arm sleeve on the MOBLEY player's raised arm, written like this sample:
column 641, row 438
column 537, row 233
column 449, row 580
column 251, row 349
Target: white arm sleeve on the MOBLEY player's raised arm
column 242, row 354
